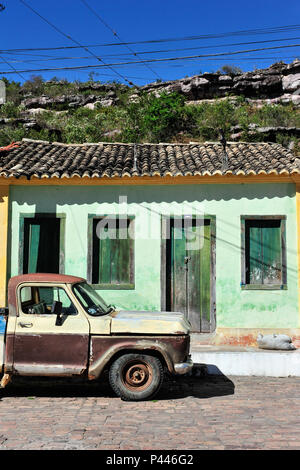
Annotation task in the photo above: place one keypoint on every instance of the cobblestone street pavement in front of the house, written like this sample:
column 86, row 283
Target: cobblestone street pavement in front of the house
column 195, row 412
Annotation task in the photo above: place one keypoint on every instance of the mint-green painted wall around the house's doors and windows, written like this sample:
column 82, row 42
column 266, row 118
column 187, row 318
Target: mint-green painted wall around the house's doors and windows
column 235, row 308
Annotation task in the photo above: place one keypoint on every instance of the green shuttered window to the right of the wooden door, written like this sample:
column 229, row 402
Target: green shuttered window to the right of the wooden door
column 264, row 253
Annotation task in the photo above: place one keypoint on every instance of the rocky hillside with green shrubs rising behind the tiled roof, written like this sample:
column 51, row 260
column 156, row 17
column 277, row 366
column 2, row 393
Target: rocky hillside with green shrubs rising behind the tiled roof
column 261, row 105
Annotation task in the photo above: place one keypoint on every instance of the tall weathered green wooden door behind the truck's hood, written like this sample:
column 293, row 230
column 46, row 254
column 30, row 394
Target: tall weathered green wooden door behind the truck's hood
column 189, row 272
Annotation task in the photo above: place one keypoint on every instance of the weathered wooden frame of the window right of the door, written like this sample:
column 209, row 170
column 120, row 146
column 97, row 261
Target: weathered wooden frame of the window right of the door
column 283, row 285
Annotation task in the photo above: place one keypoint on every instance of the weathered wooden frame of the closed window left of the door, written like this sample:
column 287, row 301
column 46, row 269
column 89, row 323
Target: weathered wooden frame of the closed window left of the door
column 125, row 286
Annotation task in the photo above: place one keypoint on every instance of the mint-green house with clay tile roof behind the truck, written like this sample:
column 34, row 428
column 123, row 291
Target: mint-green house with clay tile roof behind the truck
column 162, row 227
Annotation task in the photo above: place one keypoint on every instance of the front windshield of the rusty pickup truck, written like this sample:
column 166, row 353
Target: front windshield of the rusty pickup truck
column 91, row 301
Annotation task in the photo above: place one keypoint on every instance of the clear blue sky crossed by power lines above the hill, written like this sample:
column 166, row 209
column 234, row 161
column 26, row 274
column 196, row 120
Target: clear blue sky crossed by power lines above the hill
column 135, row 20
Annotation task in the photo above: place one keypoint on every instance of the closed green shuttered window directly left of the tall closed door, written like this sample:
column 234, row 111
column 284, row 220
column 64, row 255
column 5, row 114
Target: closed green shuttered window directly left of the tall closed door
column 112, row 261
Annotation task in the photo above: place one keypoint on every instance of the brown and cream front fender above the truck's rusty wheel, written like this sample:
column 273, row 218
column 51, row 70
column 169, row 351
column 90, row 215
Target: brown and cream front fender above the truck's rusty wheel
column 172, row 349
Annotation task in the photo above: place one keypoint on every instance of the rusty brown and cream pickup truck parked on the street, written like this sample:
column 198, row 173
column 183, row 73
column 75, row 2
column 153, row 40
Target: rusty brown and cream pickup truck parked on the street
column 58, row 325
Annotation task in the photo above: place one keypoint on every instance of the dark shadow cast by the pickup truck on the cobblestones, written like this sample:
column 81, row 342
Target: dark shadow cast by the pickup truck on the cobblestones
column 196, row 384
